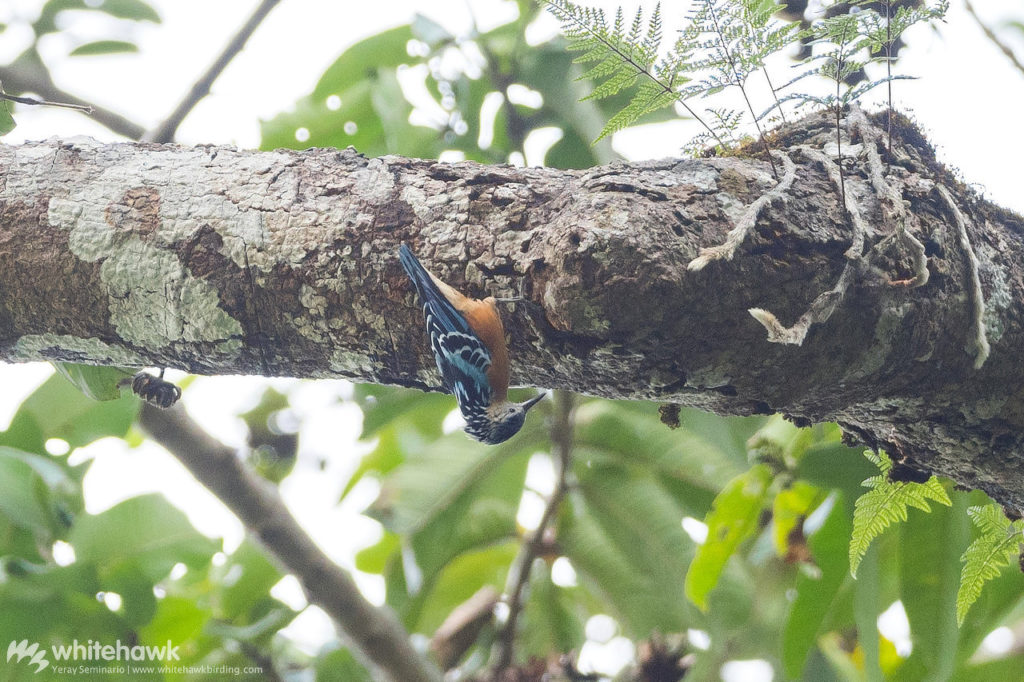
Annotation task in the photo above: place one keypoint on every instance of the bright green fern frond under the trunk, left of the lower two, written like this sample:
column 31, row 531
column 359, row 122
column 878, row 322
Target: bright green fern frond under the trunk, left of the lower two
column 887, row 503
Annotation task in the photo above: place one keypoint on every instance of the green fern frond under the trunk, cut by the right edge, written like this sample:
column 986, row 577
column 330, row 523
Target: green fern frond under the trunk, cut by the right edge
column 997, row 548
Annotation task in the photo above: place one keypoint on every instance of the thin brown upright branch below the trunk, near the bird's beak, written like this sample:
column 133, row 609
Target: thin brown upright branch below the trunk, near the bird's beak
column 562, row 441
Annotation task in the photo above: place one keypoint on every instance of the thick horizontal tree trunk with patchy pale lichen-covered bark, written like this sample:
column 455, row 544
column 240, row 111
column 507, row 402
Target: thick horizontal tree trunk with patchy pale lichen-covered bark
column 218, row 261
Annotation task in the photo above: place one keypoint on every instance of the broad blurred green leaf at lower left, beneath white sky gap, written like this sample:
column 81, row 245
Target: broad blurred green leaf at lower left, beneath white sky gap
column 148, row 531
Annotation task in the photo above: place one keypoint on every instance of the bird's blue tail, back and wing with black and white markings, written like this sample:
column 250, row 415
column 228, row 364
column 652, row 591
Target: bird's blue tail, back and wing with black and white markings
column 461, row 357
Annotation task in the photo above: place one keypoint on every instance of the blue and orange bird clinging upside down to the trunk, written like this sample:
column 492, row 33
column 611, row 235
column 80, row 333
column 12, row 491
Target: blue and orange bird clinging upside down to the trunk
column 468, row 342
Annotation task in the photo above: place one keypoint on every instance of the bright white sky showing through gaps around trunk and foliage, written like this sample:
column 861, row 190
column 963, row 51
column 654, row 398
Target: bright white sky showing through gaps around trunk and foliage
column 968, row 99
